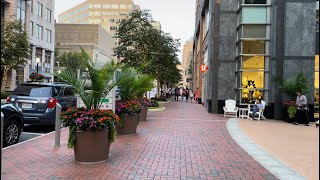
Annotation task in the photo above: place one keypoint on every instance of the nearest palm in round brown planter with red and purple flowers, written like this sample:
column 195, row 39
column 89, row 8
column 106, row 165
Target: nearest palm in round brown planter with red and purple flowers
column 91, row 130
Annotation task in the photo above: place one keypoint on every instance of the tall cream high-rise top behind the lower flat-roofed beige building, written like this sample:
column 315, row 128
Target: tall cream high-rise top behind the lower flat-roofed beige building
column 107, row 13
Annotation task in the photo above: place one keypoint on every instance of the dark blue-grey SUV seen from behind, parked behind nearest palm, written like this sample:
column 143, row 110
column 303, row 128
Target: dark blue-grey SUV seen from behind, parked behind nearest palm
column 38, row 101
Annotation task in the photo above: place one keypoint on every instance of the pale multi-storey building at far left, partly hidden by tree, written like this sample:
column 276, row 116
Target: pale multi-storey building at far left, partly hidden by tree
column 37, row 17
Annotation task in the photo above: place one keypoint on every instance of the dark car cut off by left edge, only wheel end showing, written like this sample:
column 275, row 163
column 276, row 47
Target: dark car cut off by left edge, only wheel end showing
column 13, row 124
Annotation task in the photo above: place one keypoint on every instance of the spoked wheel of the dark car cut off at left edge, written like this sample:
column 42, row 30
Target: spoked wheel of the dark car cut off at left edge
column 11, row 132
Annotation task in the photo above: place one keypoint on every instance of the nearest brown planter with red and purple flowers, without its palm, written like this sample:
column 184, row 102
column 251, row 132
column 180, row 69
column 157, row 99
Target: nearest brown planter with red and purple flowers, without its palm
column 90, row 133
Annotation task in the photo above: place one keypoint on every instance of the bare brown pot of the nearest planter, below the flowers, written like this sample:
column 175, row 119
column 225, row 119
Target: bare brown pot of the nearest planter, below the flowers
column 91, row 146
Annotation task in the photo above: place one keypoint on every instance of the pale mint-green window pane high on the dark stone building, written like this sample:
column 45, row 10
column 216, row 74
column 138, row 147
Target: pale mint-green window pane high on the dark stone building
column 254, row 15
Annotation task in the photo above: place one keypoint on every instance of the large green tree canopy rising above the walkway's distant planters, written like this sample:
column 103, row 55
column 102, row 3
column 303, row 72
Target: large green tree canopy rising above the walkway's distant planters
column 151, row 51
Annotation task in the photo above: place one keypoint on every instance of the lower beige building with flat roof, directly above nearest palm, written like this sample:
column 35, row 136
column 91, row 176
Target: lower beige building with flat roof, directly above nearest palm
column 96, row 41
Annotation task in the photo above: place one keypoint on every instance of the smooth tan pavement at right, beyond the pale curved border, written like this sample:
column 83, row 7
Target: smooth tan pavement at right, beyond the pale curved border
column 296, row 146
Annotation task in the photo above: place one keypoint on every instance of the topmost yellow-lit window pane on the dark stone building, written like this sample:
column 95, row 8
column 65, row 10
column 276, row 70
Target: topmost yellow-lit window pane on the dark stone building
column 253, row 47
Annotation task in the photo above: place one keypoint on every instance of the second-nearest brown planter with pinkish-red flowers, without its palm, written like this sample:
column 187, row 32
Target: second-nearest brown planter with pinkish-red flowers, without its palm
column 128, row 112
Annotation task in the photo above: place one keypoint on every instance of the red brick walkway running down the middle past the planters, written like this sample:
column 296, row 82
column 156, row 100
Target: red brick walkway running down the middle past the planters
column 182, row 142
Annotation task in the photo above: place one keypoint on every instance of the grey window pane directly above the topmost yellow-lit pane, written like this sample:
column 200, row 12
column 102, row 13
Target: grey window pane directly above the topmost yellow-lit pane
column 254, row 31
